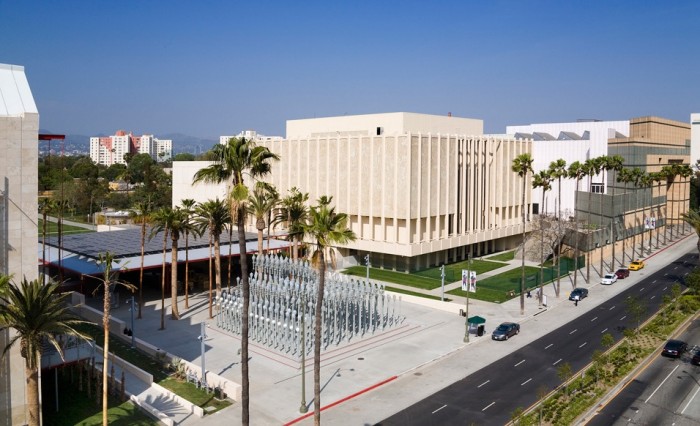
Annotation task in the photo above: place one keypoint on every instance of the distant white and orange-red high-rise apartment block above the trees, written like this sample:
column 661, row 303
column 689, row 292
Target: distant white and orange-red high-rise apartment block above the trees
column 110, row 150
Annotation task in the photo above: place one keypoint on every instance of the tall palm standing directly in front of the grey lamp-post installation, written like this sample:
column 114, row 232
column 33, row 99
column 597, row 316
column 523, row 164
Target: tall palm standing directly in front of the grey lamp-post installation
column 326, row 228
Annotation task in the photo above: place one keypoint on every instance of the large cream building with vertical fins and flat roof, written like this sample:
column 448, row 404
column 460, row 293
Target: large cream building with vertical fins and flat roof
column 419, row 190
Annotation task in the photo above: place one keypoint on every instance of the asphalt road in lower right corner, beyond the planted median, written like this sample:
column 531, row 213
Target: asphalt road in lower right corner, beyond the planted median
column 667, row 392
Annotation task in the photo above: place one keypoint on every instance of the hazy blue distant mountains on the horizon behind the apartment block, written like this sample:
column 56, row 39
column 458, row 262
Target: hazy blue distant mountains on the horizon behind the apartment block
column 80, row 144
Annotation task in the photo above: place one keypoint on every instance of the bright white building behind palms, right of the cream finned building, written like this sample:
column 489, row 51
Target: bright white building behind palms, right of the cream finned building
column 576, row 141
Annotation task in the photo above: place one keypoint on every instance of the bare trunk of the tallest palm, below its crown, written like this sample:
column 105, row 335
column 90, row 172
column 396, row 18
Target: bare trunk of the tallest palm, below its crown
column 245, row 382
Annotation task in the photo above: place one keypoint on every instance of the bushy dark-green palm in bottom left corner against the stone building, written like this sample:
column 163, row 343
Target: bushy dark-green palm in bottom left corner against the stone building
column 38, row 314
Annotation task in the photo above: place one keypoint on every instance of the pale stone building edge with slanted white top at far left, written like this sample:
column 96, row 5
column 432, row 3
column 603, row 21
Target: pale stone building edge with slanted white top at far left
column 19, row 133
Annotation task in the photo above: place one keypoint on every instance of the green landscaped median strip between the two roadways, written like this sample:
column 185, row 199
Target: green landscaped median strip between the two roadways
column 581, row 390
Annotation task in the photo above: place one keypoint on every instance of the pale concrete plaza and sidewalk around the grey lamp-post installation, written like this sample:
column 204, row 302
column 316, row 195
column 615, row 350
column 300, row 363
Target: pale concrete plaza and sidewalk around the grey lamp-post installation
column 370, row 379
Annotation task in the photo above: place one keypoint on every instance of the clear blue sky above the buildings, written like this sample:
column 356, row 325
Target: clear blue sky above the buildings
column 209, row 68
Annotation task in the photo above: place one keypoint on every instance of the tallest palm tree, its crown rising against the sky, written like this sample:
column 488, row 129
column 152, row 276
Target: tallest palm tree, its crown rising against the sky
column 237, row 158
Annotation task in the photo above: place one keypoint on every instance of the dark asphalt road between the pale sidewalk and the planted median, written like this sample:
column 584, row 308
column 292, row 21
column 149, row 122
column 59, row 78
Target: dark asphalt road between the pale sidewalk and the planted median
column 490, row 395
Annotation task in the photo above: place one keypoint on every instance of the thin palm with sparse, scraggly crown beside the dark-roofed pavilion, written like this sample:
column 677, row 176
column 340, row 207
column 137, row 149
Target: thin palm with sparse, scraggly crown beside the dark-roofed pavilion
column 109, row 282
